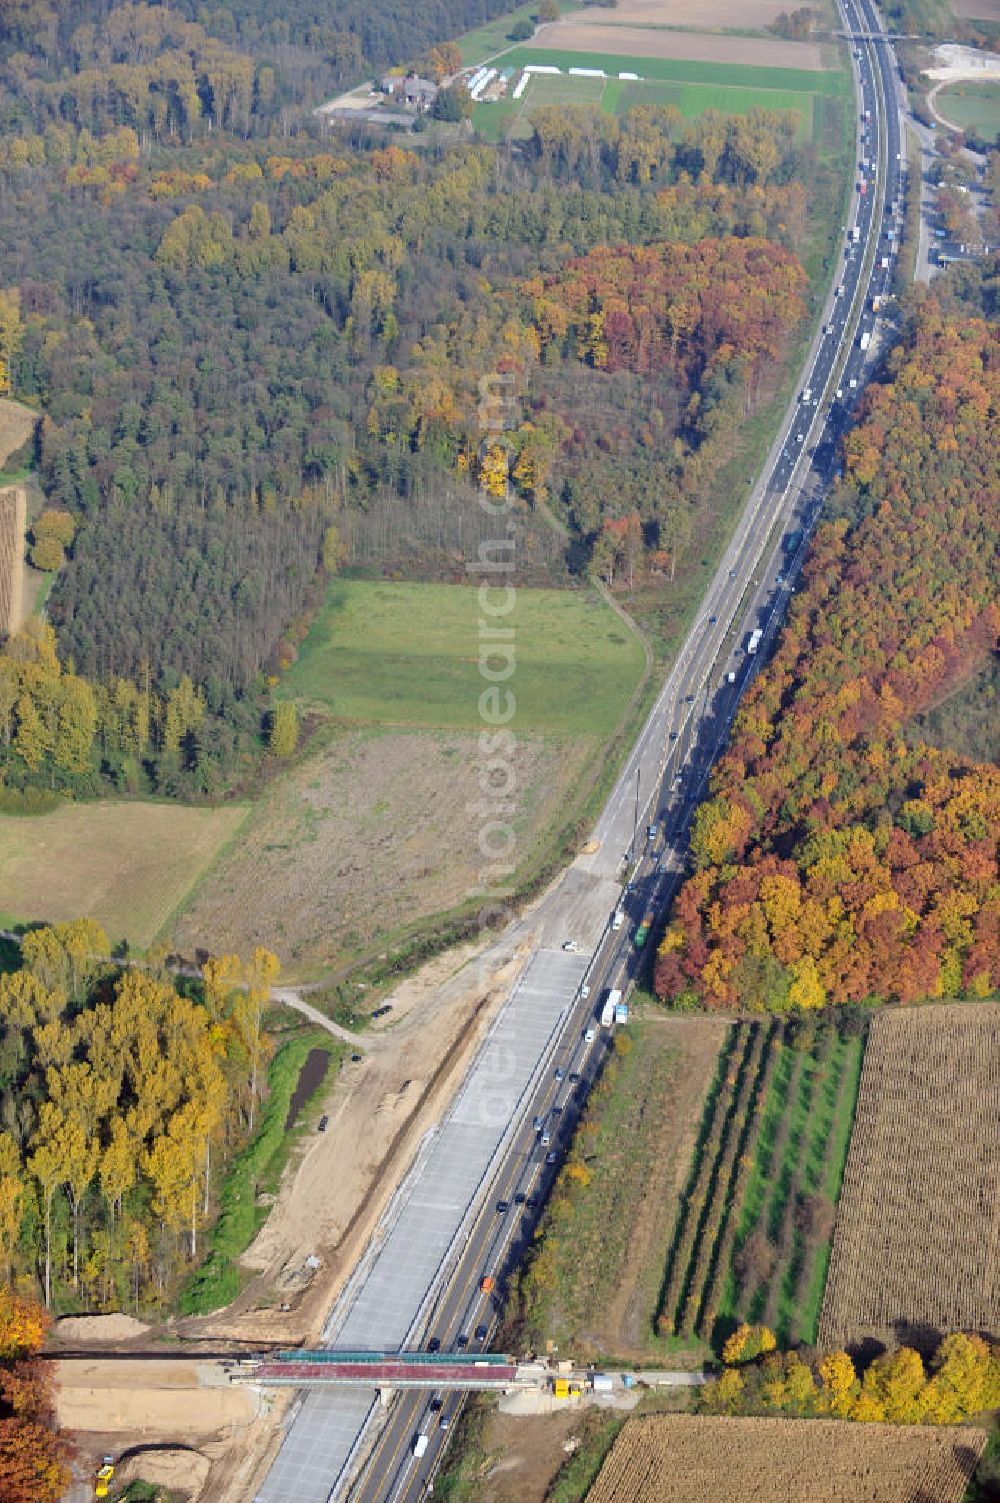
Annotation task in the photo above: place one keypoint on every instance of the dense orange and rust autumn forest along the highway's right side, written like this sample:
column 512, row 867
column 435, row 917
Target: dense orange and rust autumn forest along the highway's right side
column 841, row 859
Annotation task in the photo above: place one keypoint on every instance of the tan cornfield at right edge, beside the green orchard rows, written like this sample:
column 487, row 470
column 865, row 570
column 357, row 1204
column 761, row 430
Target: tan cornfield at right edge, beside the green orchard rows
column 917, row 1250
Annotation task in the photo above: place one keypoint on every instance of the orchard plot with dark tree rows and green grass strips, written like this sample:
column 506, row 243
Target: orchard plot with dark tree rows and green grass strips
column 760, row 1202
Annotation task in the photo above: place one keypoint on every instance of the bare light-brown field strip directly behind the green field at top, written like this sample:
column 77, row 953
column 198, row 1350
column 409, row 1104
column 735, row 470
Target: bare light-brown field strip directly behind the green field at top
column 706, row 47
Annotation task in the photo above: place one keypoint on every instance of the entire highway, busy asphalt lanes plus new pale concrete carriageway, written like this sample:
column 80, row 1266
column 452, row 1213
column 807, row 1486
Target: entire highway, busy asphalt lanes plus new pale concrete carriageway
column 467, row 1209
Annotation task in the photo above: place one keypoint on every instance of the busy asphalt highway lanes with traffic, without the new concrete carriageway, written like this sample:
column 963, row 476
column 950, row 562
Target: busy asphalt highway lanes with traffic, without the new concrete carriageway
column 665, row 778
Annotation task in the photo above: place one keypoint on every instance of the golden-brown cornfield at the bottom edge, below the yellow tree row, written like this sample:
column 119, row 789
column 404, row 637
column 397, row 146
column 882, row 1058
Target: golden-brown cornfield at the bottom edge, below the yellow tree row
column 680, row 1459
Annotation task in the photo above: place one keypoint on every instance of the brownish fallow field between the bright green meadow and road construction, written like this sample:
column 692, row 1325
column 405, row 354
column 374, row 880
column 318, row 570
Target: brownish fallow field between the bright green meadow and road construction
column 372, row 832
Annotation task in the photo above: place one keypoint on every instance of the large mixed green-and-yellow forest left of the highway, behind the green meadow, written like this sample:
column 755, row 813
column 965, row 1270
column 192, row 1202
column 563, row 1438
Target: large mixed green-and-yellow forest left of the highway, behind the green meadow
column 241, row 346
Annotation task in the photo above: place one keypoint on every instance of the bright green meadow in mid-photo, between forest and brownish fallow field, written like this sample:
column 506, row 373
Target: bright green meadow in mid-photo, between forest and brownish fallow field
column 410, row 656
